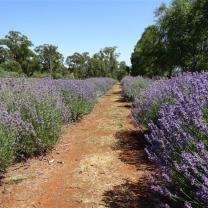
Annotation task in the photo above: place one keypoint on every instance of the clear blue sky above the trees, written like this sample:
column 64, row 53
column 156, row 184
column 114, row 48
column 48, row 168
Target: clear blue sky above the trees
column 80, row 25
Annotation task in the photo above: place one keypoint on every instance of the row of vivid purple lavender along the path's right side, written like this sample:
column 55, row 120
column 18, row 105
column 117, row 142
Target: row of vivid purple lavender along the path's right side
column 175, row 111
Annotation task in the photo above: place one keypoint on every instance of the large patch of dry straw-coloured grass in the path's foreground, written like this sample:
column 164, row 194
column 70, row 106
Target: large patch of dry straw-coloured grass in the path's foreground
column 99, row 173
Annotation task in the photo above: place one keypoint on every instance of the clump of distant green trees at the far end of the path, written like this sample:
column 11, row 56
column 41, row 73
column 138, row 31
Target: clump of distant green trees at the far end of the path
column 101, row 64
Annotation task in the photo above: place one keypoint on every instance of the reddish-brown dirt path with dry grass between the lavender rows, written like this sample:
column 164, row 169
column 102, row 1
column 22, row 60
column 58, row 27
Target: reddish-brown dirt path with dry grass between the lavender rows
column 98, row 163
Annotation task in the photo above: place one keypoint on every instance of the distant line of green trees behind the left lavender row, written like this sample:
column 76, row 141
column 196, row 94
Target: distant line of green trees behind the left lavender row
column 17, row 58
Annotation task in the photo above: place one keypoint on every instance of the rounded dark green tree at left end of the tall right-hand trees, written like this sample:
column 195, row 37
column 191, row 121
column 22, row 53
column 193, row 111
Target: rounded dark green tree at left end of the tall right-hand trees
column 149, row 56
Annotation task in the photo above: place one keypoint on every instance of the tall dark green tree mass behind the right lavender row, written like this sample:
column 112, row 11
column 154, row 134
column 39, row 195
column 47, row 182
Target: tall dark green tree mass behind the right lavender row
column 177, row 42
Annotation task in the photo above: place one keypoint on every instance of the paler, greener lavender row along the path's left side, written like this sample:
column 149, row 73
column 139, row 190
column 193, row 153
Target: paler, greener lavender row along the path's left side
column 33, row 111
